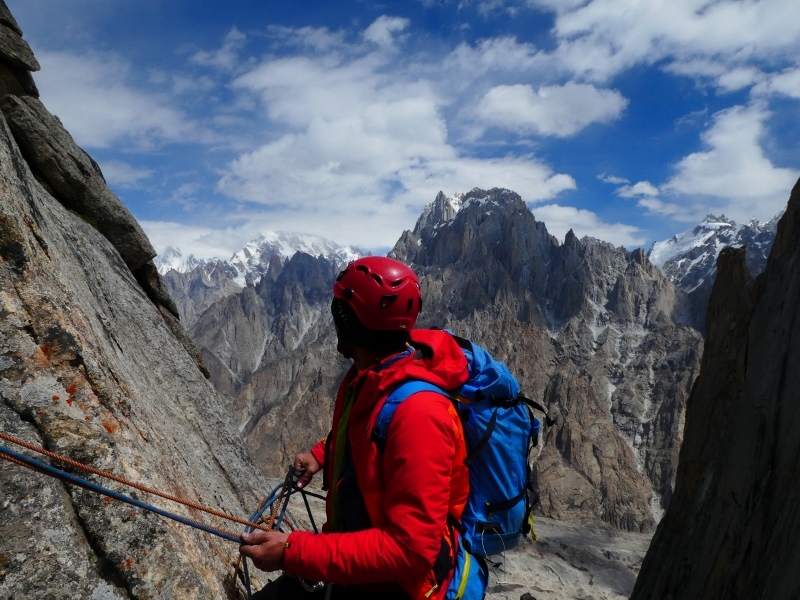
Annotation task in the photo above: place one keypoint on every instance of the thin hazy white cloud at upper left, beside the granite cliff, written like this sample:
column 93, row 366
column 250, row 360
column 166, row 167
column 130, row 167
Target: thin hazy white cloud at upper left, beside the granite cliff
column 91, row 96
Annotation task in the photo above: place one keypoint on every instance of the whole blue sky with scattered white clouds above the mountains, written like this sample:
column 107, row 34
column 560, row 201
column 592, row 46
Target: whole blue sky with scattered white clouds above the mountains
column 625, row 120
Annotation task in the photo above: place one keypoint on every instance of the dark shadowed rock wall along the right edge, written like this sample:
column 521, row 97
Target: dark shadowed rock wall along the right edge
column 731, row 528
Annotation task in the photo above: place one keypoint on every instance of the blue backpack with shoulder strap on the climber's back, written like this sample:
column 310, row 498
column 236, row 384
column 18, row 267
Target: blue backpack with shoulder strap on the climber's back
column 500, row 430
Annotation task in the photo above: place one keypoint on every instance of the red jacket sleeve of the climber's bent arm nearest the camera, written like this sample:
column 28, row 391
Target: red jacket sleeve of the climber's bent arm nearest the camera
column 417, row 465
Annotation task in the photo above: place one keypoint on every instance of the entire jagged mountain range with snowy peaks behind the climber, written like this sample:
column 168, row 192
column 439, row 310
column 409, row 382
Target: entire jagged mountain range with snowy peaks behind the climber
column 606, row 338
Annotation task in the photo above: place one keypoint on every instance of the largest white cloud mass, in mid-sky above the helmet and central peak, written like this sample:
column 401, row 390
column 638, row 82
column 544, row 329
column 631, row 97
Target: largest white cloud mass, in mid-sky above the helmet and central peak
column 362, row 144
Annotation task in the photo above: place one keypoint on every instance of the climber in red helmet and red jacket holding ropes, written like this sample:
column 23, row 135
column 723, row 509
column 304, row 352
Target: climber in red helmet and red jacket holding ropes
column 389, row 510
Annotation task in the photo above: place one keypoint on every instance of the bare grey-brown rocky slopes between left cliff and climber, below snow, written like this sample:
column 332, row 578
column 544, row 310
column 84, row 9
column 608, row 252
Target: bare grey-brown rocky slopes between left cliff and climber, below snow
column 272, row 350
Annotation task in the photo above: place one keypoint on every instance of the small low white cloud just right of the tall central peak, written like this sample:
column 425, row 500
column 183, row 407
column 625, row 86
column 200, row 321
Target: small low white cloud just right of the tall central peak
column 560, row 219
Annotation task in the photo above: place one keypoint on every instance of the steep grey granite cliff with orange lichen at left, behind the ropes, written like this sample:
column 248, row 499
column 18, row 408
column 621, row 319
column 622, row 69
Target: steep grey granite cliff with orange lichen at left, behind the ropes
column 95, row 365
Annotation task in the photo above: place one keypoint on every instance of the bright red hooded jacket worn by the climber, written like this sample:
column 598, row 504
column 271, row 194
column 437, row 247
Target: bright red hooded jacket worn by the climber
column 408, row 489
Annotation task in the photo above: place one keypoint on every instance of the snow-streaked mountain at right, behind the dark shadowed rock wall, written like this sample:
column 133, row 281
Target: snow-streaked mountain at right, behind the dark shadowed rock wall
column 689, row 259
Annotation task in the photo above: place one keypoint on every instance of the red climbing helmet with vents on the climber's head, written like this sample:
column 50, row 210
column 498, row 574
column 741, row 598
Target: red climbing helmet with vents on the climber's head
column 383, row 292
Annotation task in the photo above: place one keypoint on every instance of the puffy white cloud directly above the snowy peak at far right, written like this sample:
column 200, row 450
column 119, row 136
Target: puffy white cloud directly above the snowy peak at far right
column 733, row 175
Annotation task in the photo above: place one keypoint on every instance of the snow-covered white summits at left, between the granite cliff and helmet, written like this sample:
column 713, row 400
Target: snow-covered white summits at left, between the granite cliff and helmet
column 253, row 261
